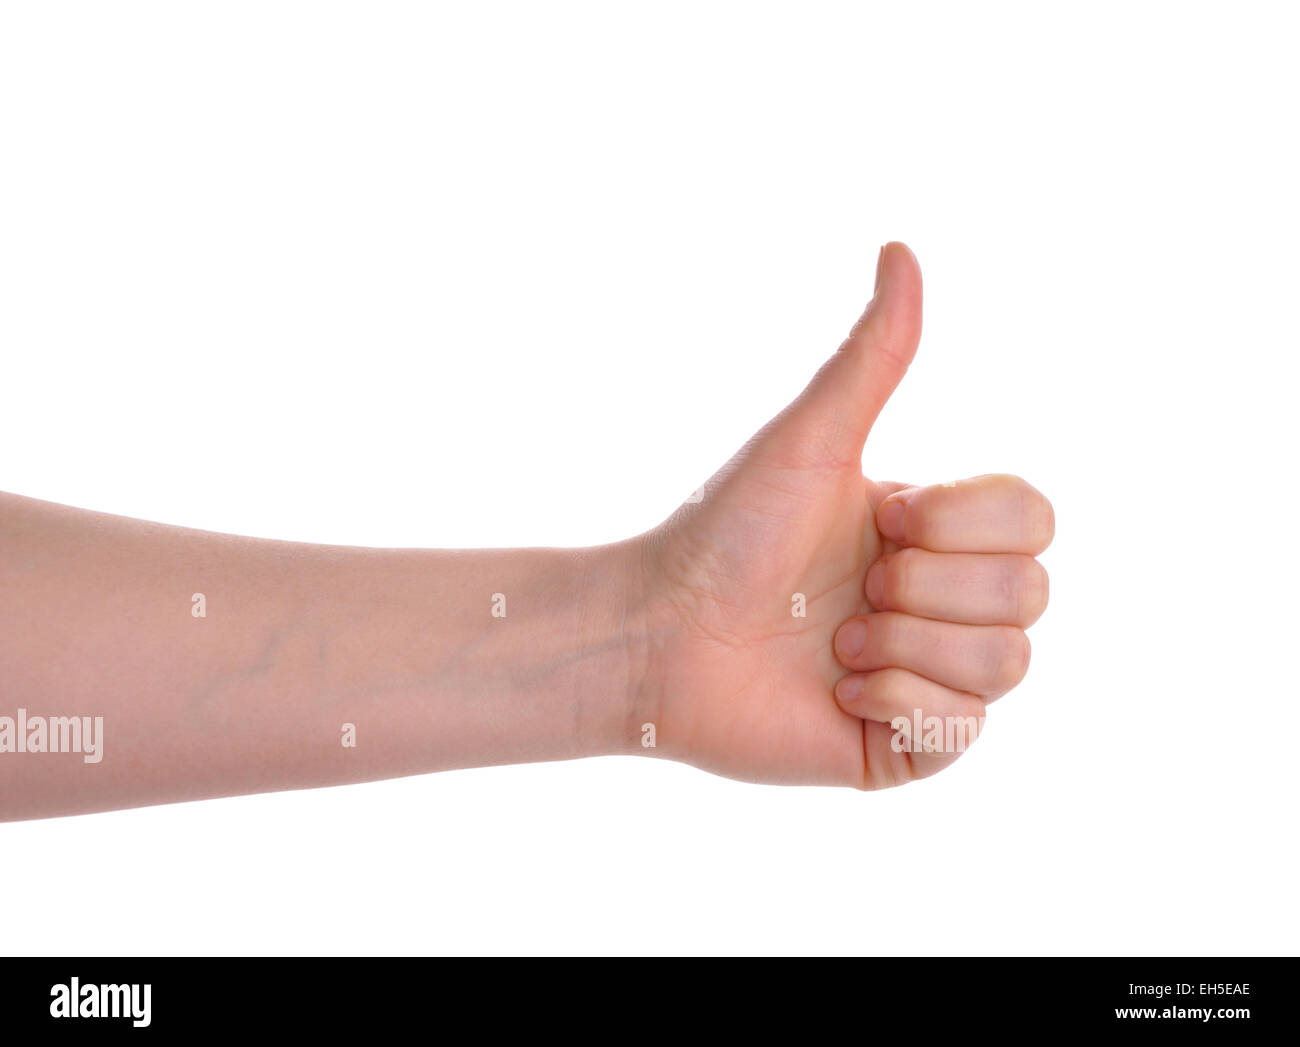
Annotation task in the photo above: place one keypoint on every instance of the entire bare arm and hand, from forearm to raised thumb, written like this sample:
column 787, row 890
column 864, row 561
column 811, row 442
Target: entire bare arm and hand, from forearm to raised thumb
column 916, row 599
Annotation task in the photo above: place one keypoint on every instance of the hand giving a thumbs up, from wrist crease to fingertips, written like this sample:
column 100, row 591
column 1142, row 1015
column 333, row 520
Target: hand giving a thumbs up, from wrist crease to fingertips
column 812, row 626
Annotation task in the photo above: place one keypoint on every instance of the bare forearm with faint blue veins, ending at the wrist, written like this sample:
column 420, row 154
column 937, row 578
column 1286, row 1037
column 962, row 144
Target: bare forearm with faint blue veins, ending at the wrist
column 437, row 660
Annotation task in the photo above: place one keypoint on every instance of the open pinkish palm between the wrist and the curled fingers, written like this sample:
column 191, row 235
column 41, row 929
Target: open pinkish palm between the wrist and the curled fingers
column 764, row 573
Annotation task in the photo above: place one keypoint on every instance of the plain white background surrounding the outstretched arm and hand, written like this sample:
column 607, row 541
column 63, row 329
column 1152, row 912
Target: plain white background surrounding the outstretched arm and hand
column 526, row 275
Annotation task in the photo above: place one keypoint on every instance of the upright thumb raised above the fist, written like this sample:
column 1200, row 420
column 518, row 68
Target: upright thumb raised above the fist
column 835, row 414
